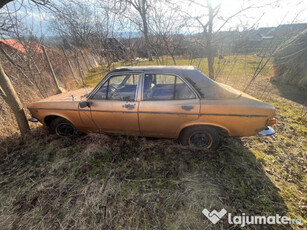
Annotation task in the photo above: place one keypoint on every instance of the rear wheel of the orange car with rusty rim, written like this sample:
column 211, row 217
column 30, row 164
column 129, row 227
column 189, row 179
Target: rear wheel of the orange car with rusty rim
column 201, row 137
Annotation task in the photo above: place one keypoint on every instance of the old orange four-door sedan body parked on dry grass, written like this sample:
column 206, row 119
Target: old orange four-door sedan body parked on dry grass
column 158, row 101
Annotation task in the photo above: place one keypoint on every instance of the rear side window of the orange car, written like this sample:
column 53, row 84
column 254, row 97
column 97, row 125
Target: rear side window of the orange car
column 165, row 87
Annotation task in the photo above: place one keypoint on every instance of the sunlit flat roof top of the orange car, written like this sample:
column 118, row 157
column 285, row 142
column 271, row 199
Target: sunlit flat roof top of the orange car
column 155, row 68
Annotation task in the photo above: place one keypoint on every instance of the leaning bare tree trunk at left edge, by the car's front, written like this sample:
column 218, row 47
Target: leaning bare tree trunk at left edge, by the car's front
column 11, row 98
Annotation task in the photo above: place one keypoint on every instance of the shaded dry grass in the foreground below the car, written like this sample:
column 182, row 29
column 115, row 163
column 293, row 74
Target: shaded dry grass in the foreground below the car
column 153, row 184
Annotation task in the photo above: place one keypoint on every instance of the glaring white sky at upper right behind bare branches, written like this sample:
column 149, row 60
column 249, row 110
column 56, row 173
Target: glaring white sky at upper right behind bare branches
column 266, row 13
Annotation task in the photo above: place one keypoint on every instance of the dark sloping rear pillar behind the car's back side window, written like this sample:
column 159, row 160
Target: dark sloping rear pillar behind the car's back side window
column 209, row 89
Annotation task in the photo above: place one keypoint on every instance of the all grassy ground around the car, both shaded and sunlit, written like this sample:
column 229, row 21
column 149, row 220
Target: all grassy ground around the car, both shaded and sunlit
column 104, row 182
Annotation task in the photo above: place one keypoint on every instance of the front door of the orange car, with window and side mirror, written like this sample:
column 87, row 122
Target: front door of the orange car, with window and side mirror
column 114, row 106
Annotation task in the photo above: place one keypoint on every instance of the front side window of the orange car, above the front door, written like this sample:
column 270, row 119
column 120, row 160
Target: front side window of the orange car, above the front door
column 118, row 87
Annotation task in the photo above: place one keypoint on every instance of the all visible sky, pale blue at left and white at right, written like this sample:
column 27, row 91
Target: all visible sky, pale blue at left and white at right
column 266, row 13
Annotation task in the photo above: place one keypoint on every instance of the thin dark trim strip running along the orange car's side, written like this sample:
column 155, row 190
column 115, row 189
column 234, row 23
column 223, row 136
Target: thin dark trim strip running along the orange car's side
column 153, row 112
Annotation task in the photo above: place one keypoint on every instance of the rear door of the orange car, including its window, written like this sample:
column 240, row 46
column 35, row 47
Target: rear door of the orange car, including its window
column 167, row 104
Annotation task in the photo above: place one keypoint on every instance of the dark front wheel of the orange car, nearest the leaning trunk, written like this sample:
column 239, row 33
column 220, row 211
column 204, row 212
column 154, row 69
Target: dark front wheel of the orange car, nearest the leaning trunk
column 62, row 127
